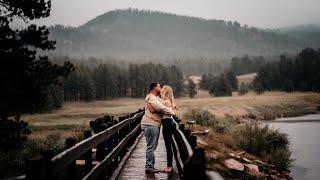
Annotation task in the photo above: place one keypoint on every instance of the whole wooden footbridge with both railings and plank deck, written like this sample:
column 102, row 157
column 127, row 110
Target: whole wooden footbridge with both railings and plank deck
column 119, row 153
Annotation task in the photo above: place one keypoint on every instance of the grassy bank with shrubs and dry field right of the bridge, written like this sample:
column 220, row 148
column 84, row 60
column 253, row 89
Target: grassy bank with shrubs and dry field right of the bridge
column 234, row 127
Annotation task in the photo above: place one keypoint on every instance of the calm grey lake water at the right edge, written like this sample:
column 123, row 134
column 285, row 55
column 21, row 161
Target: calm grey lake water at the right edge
column 304, row 135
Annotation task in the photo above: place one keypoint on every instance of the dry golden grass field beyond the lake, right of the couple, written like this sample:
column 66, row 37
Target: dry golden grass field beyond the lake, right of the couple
column 251, row 106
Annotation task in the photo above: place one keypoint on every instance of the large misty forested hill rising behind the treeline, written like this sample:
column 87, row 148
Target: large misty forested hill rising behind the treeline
column 138, row 34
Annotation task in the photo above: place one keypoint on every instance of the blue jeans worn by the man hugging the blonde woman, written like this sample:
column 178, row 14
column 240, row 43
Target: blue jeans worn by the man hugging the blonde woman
column 152, row 135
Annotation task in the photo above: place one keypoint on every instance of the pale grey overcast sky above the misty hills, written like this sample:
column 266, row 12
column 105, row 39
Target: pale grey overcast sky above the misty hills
column 259, row 13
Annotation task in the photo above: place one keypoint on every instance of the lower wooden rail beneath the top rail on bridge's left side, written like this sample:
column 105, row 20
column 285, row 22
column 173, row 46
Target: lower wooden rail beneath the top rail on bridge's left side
column 103, row 164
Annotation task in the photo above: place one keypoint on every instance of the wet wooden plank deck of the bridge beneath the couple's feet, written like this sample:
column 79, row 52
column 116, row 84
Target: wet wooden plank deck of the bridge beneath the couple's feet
column 134, row 167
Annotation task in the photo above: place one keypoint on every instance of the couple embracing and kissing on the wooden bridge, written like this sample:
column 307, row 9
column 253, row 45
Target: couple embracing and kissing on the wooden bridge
column 159, row 110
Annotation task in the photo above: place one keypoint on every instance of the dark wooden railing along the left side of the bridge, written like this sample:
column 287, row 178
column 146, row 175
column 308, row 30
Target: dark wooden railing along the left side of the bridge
column 101, row 153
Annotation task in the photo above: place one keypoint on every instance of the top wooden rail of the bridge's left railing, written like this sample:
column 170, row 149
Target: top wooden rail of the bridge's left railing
column 61, row 160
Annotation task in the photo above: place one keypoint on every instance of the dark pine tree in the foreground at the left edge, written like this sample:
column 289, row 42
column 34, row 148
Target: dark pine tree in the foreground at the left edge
column 26, row 78
